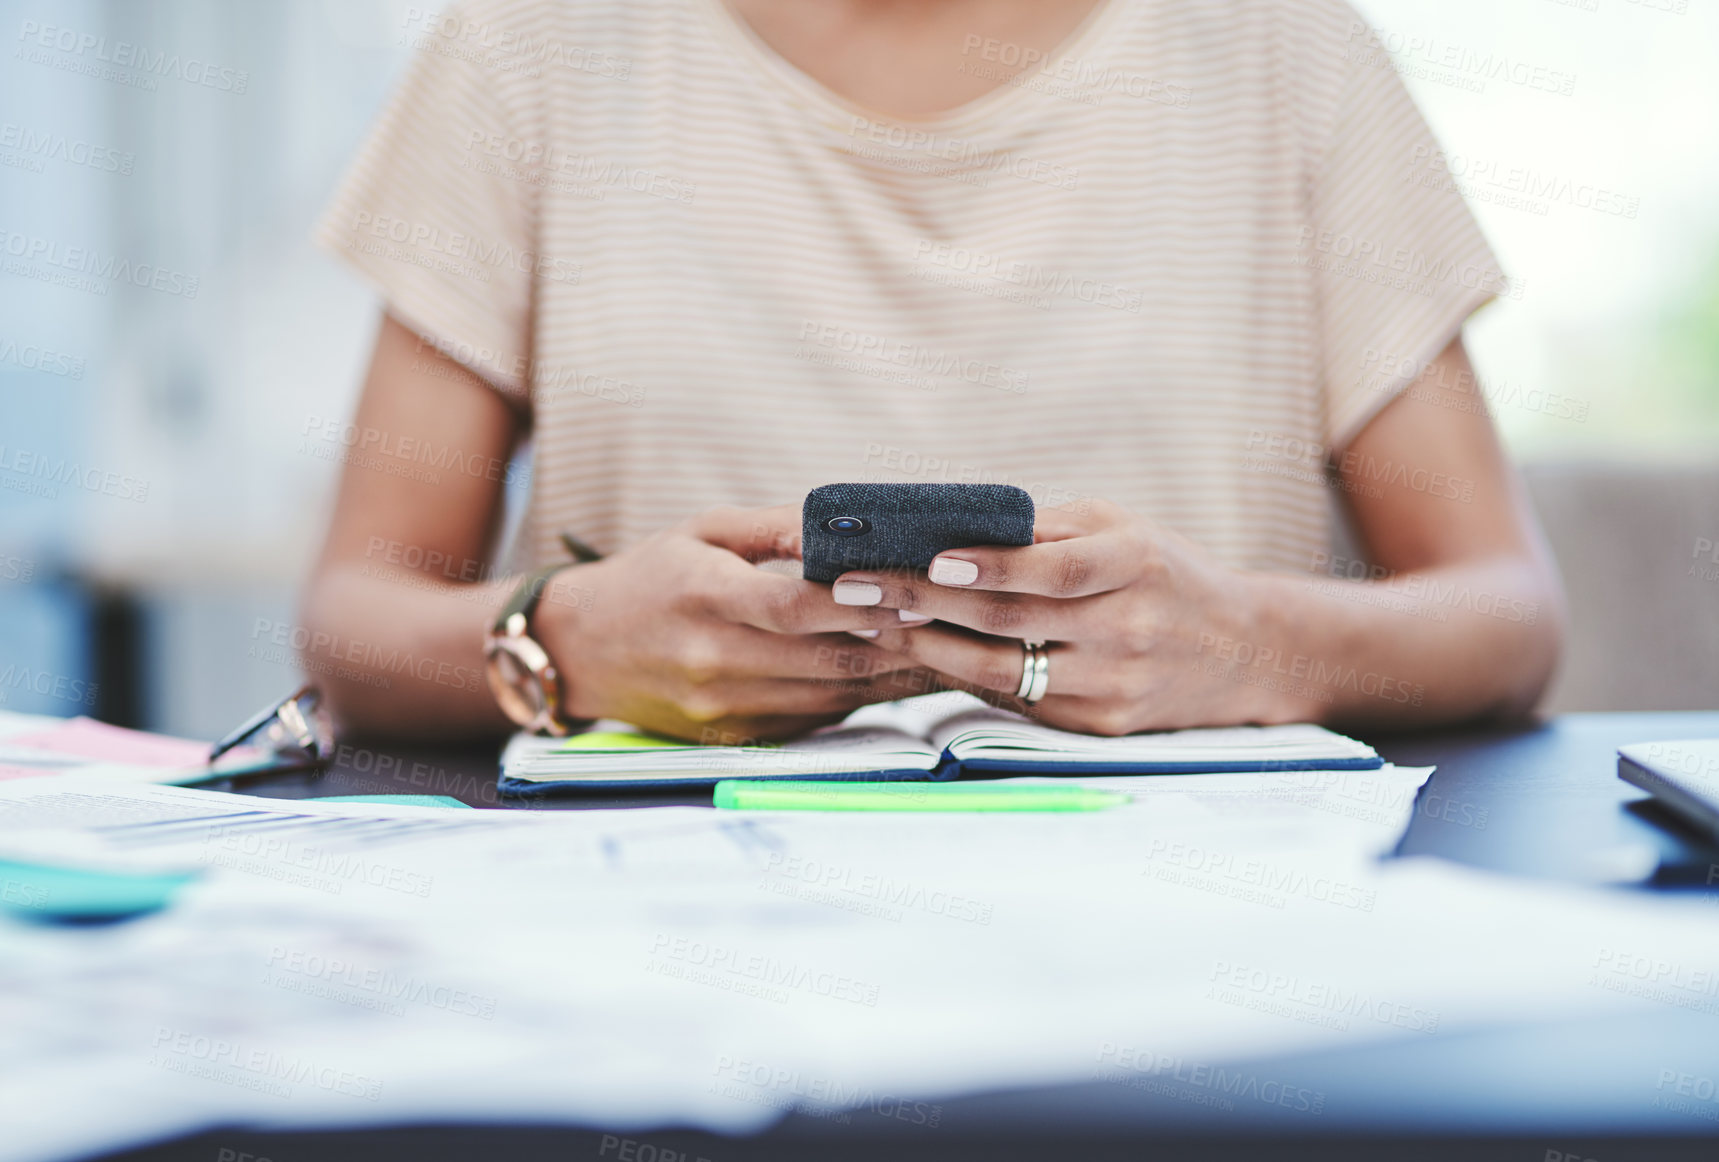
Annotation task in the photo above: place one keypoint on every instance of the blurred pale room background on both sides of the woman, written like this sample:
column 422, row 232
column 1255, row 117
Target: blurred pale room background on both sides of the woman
column 168, row 329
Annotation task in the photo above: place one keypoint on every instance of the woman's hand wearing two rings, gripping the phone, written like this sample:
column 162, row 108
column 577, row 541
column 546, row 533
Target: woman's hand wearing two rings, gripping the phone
column 1146, row 628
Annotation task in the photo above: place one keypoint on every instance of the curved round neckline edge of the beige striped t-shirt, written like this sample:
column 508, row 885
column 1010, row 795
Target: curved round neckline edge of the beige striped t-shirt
column 745, row 40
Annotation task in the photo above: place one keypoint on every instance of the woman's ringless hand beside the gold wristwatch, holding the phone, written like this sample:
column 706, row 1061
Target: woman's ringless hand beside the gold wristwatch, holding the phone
column 683, row 635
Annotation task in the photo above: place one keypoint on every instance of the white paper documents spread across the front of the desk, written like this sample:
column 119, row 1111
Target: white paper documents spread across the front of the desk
column 355, row 965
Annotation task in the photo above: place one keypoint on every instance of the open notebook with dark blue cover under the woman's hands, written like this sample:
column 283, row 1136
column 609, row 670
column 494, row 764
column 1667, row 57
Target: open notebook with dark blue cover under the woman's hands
column 938, row 737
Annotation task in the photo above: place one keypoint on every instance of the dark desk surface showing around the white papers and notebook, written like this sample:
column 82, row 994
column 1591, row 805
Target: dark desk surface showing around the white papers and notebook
column 1539, row 802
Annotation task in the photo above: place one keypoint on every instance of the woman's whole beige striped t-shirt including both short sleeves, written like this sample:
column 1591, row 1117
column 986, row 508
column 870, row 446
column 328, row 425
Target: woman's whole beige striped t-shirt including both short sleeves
column 1177, row 264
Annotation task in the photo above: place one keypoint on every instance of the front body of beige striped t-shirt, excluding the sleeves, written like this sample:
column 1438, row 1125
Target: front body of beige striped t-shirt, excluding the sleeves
column 1084, row 283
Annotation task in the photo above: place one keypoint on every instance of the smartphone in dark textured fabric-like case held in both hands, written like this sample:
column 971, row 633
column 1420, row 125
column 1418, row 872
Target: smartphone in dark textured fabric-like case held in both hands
column 903, row 527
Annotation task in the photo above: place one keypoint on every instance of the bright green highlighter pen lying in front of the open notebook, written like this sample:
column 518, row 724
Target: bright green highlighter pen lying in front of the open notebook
column 788, row 795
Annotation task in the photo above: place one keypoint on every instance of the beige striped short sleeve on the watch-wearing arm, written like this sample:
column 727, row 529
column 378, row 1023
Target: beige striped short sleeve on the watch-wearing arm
column 437, row 217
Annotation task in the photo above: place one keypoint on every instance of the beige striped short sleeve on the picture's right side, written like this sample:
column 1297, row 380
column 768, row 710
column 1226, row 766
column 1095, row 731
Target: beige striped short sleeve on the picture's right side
column 1397, row 257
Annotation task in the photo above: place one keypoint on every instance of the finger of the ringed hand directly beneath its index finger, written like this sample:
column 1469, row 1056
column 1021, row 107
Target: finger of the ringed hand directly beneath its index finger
column 1003, row 615
